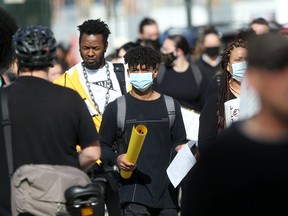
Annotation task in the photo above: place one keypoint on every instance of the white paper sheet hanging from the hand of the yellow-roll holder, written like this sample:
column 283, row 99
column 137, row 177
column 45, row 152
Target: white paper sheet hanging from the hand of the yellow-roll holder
column 181, row 164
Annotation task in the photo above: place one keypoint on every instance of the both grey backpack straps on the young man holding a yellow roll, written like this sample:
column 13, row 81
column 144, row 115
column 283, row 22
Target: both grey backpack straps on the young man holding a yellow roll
column 121, row 113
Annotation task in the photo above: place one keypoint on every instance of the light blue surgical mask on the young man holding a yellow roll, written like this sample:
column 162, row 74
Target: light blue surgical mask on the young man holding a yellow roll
column 141, row 81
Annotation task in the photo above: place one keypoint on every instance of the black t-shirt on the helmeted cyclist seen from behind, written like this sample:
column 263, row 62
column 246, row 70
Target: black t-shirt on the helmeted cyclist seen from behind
column 47, row 123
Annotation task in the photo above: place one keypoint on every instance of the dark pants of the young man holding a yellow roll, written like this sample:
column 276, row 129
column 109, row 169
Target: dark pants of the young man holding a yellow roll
column 134, row 209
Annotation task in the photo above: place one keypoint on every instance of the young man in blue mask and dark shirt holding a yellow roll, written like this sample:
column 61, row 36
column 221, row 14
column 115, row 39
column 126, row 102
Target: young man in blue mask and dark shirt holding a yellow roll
column 148, row 191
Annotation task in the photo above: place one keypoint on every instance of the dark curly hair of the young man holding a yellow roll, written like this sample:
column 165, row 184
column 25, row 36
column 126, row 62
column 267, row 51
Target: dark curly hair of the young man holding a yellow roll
column 143, row 56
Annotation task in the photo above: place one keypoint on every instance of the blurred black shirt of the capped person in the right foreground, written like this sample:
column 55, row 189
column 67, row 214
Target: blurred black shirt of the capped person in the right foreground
column 239, row 175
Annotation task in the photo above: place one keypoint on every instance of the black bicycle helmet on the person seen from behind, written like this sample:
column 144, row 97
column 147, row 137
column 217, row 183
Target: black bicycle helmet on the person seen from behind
column 35, row 46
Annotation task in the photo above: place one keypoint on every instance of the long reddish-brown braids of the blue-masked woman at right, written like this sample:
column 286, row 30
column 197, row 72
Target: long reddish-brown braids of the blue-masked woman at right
column 225, row 93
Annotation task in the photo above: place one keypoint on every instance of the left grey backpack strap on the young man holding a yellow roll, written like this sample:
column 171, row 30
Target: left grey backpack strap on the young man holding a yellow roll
column 121, row 115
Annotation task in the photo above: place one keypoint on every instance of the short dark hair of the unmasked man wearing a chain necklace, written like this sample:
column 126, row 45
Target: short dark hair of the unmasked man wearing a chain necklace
column 94, row 27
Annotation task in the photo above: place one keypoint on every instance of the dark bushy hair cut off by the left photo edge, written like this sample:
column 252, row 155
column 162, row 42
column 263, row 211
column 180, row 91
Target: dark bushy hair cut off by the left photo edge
column 8, row 26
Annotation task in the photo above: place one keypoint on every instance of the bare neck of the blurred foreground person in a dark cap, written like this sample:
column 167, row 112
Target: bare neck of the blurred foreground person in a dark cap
column 265, row 126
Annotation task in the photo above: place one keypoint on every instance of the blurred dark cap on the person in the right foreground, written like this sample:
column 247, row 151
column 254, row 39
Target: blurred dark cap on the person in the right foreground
column 269, row 51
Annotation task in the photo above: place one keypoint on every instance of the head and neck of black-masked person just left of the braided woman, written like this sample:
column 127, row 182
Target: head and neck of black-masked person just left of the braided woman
column 209, row 44
